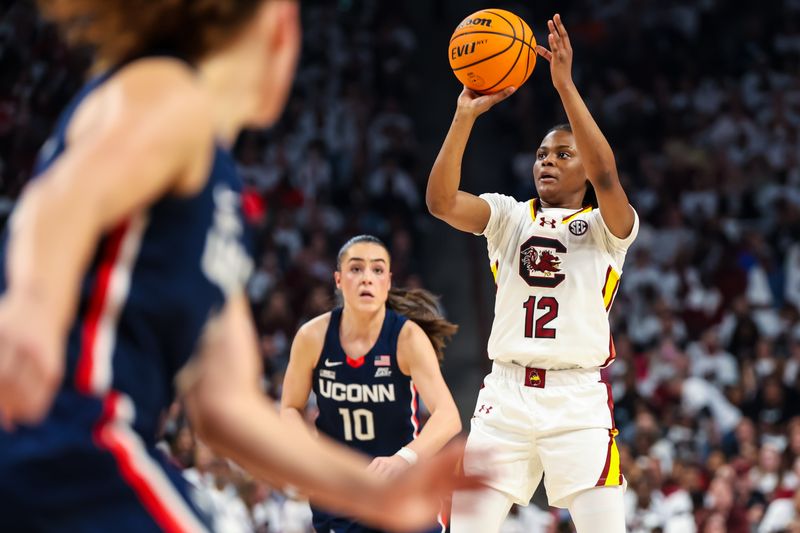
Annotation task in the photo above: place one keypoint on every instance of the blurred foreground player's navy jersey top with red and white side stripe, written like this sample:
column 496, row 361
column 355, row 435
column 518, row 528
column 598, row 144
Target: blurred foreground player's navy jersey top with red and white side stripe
column 152, row 285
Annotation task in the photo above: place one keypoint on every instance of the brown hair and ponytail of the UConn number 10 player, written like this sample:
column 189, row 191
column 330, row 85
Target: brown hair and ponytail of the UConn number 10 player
column 418, row 305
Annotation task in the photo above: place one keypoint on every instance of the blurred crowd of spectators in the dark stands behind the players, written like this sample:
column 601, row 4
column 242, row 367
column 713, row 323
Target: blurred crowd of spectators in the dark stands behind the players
column 703, row 114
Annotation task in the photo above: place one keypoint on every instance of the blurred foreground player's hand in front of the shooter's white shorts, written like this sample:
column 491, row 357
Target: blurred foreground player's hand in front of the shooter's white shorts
column 411, row 501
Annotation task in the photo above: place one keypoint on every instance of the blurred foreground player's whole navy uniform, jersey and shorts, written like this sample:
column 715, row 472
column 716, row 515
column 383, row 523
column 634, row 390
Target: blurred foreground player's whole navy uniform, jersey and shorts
column 153, row 284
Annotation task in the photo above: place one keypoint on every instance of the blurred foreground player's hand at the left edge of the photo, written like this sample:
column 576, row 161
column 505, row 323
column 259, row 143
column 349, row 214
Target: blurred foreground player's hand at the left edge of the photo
column 31, row 361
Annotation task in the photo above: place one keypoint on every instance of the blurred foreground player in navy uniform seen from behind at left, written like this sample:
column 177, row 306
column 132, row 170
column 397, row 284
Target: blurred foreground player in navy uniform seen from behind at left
column 121, row 282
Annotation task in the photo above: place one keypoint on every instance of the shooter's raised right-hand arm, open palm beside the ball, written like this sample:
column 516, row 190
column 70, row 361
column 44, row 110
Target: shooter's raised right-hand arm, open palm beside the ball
column 598, row 159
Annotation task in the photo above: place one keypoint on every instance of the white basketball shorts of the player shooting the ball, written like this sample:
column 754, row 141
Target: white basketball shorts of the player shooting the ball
column 557, row 423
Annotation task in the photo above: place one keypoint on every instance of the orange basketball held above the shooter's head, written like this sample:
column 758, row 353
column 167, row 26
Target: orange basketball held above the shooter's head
column 492, row 49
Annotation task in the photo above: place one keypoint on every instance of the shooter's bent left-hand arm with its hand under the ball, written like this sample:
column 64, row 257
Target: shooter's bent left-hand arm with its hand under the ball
column 460, row 209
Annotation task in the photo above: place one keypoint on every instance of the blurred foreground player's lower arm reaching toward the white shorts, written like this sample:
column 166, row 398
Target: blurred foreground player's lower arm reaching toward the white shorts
column 232, row 415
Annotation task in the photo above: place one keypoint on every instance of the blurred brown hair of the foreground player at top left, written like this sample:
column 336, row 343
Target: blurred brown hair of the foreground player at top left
column 121, row 29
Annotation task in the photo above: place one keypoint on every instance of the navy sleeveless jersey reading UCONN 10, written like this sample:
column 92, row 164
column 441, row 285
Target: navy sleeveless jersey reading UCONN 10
column 367, row 403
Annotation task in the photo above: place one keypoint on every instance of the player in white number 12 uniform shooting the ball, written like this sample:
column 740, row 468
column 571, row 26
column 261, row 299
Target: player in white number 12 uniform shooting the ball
column 557, row 262
